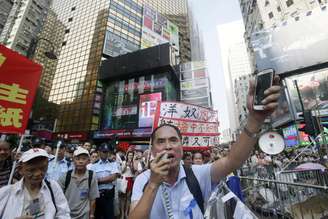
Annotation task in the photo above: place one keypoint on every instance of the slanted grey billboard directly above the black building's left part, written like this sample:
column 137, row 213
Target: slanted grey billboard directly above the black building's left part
column 114, row 45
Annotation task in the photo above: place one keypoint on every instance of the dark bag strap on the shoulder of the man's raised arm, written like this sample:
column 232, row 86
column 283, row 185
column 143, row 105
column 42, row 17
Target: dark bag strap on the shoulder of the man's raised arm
column 194, row 187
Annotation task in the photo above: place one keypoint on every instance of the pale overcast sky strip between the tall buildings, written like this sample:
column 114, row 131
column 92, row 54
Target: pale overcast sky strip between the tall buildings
column 210, row 14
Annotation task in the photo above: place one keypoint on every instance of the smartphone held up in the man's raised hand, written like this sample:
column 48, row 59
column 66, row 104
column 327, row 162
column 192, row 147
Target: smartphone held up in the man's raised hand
column 264, row 80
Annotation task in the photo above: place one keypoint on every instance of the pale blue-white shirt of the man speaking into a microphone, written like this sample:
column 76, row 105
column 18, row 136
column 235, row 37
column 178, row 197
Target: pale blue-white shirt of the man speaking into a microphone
column 180, row 197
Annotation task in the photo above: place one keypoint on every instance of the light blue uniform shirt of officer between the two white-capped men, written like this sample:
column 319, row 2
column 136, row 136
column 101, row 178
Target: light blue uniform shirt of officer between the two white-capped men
column 55, row 171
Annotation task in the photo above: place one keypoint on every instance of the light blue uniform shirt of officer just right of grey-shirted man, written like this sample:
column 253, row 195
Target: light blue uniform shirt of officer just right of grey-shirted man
column 104, row 169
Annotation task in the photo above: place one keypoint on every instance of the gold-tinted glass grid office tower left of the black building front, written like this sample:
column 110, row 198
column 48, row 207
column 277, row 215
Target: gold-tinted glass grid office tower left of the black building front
column 75, row 76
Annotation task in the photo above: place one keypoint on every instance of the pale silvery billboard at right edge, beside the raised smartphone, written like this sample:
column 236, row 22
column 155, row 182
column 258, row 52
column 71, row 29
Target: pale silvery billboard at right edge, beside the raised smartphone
column 313, row 87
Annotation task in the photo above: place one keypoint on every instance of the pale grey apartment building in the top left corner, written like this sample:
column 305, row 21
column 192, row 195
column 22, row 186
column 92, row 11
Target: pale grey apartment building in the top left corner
column 24, row 22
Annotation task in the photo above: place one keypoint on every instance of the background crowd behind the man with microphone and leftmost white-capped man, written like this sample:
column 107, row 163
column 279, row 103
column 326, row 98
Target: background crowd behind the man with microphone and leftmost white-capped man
column 123, row 167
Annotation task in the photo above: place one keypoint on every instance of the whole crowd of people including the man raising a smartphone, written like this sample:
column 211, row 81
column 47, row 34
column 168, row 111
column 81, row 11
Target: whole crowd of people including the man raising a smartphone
column 77, row 182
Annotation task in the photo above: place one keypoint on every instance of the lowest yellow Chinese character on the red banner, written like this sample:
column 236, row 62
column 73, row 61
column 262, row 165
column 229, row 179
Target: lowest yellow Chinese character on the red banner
column 11, row 117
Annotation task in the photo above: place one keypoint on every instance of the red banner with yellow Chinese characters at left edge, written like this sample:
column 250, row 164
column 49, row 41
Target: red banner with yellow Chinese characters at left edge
column 19, row 79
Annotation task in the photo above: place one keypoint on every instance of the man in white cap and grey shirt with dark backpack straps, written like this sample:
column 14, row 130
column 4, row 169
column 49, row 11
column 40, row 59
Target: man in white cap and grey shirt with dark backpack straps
column 80, row 186
